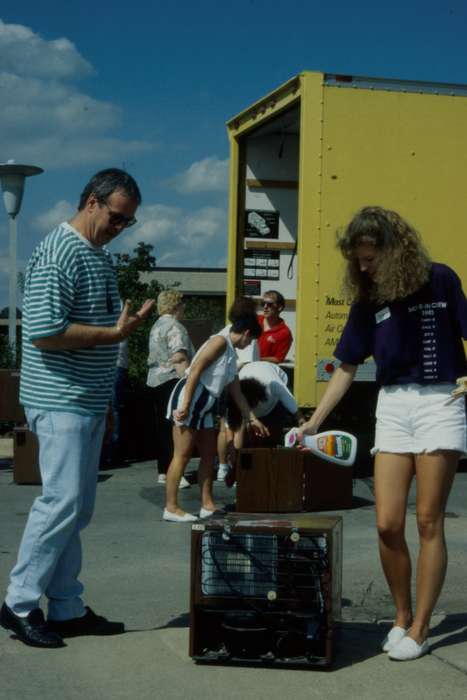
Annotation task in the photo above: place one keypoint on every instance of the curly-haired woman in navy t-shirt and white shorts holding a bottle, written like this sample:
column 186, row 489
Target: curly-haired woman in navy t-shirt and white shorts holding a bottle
column 410, row 314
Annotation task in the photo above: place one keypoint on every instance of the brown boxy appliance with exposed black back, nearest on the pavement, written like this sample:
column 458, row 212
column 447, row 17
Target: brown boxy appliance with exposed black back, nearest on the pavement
column 265, row 590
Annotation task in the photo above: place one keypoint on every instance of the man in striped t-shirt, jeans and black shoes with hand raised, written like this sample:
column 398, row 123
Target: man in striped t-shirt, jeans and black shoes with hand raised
column 72, row 325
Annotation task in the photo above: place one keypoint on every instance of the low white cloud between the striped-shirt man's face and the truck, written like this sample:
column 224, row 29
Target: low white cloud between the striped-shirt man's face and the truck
column 181, row 238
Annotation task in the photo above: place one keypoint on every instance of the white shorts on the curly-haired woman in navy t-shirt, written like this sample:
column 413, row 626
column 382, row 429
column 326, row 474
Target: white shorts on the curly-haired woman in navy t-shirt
column 419, row 418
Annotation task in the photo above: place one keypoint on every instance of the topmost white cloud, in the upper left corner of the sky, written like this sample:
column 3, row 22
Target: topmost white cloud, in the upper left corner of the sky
column 26, row 53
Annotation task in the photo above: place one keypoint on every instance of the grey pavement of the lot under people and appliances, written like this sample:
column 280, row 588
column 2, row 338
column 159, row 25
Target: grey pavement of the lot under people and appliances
column 136, row 569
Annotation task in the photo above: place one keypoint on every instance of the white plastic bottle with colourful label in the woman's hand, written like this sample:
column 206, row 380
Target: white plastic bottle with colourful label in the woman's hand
column 333, row 445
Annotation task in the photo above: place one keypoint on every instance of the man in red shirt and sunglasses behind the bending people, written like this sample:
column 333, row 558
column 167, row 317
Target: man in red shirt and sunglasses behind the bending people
column 276, row 338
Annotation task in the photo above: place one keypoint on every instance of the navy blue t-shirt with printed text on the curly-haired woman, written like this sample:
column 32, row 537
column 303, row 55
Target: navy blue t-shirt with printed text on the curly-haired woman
column 415, row 339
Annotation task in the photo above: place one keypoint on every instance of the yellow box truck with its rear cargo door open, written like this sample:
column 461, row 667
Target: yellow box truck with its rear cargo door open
column 304, row 159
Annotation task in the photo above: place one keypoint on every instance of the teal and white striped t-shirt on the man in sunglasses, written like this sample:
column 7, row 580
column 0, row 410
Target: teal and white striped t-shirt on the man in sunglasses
column 68, row 281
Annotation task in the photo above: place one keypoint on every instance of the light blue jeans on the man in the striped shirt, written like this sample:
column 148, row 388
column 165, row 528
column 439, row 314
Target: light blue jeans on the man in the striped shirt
column 49, row 558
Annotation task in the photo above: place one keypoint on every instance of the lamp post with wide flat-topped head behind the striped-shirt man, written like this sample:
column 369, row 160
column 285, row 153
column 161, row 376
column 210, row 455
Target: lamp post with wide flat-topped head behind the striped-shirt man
column 12, row 176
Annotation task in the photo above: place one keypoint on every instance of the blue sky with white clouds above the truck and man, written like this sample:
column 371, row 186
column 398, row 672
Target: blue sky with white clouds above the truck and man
column 149, row 86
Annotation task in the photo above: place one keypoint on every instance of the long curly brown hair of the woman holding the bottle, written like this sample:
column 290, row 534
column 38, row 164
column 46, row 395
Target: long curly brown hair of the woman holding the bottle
column 403, row 264
